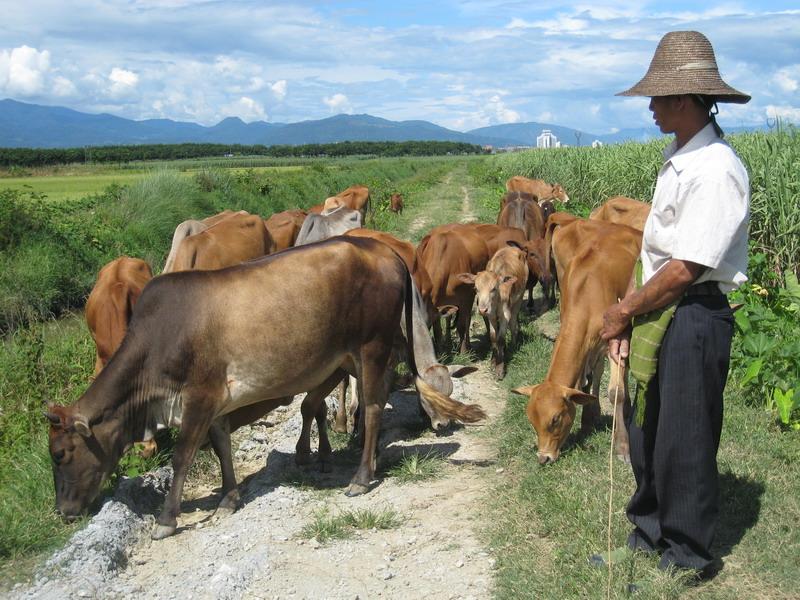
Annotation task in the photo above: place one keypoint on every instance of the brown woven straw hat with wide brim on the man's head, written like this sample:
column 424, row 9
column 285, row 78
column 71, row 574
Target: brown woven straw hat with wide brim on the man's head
column 684, row 63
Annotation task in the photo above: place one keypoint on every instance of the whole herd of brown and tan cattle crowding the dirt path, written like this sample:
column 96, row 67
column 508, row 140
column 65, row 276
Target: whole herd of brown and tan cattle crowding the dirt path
column 310, row 298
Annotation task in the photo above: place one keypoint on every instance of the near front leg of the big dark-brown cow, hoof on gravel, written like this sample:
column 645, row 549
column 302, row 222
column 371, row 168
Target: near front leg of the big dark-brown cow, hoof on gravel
column 194, row 429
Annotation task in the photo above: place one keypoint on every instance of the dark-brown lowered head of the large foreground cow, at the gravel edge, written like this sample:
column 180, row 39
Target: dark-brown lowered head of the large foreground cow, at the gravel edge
column 80, row 463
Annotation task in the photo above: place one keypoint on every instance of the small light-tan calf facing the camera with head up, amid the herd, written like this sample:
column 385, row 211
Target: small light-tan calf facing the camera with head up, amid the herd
column 500, row 289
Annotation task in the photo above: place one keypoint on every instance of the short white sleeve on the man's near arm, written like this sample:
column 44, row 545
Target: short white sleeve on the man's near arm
column 710, row 212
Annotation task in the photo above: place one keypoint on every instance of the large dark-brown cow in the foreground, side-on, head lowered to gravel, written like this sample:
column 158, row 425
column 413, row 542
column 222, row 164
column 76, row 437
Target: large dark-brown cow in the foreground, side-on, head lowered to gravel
column 203, row 345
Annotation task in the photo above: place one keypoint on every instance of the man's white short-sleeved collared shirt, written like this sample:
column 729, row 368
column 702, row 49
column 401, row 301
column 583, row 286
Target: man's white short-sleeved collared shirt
column 700, row 211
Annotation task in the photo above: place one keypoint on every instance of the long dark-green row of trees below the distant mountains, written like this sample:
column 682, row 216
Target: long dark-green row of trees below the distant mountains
column 39, row 157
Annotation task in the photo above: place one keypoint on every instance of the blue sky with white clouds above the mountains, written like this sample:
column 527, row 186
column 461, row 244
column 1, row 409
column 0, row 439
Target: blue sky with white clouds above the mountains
column 461, row 64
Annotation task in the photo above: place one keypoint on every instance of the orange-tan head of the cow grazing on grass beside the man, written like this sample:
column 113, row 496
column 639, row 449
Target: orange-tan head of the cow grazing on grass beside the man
column 551, row 411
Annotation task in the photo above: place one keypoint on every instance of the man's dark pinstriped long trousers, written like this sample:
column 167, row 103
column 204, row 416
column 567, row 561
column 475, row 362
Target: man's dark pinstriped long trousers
column 674, row 453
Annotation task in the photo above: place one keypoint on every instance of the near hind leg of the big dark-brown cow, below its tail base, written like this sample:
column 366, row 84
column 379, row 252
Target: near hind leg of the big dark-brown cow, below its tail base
column 374, row 388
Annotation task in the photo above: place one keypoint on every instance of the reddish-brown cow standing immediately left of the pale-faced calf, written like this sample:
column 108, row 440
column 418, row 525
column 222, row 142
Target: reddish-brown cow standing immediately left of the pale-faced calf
column 445, row 254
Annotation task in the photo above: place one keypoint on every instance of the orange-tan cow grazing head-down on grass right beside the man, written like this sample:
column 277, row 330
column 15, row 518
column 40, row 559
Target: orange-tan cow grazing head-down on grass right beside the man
column 595, row 262
